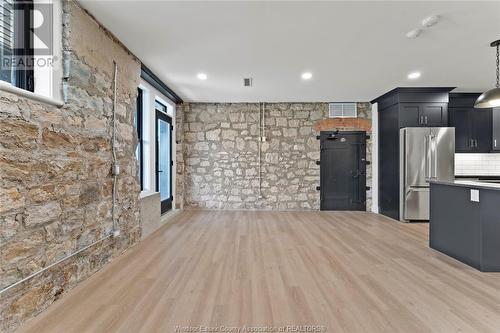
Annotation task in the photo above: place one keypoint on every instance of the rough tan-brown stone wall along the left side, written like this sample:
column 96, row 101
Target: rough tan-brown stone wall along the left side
column 55, row 181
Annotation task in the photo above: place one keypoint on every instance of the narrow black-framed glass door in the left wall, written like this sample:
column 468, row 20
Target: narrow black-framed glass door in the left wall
column 164, row 159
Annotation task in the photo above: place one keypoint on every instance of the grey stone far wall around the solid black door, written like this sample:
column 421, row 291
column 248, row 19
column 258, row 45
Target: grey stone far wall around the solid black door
column 221, row 161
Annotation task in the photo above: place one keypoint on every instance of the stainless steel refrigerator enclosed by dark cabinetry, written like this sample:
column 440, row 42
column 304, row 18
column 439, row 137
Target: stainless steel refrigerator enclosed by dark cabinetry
column 425, row 153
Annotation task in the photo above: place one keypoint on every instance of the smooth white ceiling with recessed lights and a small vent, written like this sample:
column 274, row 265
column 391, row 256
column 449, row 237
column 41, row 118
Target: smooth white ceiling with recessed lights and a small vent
column 355, row 50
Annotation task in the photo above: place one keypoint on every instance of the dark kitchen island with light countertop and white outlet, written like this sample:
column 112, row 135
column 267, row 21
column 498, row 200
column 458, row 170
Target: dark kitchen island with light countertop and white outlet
column 465, row 222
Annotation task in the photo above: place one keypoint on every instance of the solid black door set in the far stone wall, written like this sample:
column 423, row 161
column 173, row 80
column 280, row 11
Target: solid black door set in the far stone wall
column 343, row 170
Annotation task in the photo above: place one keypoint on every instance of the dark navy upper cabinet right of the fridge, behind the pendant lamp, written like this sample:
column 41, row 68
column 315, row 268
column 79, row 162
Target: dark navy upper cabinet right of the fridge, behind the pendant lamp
column 473, row 127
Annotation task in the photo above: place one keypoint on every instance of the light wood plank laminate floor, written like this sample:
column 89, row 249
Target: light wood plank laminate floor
column 346, row 271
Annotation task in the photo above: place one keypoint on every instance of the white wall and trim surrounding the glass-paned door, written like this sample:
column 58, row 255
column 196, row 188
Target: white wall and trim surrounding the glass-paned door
column 150, row 95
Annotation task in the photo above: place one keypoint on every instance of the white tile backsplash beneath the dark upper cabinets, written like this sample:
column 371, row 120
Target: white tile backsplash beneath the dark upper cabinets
column 477, row 164
